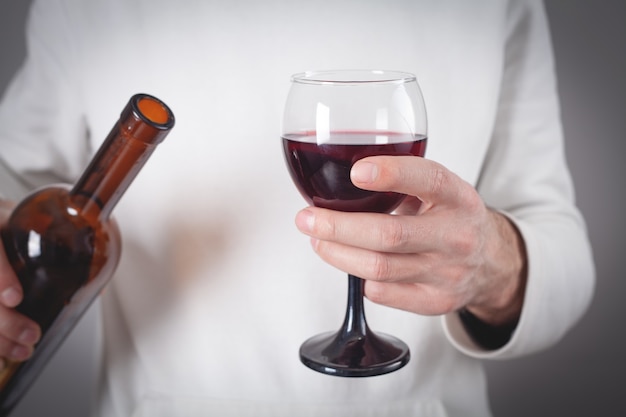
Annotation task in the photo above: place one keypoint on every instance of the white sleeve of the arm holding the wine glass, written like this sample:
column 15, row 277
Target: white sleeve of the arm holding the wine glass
column 525, row 176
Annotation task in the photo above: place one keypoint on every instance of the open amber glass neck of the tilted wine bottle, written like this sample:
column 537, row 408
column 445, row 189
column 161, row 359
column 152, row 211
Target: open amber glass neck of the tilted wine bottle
column 143, row 124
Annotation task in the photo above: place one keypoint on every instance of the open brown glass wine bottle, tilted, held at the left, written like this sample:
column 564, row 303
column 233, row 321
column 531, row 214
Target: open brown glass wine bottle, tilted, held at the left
column 63, row 243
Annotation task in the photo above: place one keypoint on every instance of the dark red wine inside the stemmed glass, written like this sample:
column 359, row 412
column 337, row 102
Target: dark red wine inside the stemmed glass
column 322, row 171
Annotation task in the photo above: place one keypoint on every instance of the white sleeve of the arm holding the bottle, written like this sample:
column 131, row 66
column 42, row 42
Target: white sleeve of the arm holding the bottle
column 43, row 136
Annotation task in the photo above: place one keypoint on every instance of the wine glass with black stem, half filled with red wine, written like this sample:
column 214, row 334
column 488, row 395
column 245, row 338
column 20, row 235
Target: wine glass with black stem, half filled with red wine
column 331, row 120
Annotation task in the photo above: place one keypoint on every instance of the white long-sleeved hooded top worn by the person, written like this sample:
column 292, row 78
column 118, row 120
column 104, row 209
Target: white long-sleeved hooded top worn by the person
column 216, row 288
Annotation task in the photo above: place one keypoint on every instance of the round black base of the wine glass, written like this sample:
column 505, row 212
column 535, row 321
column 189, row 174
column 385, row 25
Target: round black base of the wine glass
column 346, row 355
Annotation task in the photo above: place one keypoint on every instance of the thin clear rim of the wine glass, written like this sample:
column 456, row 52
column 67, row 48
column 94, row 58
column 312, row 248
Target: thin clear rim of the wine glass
column 353, row 77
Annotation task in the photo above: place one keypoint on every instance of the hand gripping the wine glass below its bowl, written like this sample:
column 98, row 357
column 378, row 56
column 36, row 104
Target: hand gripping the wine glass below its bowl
column 443, row 250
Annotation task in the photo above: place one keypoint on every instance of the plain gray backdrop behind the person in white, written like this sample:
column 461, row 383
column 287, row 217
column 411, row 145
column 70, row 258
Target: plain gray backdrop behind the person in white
column 585, row 374
